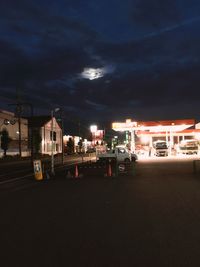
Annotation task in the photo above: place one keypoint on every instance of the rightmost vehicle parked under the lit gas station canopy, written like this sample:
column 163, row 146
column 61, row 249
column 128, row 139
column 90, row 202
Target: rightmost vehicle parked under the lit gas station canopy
column 188, row 146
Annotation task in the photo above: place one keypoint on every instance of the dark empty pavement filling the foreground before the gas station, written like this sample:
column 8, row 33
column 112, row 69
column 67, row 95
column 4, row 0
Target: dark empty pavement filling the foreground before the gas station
column 151, row 219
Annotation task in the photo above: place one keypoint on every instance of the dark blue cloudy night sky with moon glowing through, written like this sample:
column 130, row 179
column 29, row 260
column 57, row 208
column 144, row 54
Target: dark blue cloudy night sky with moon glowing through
column 102, row 60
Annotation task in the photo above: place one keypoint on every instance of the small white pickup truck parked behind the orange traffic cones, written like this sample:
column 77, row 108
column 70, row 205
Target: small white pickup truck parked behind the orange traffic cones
column 120, row 154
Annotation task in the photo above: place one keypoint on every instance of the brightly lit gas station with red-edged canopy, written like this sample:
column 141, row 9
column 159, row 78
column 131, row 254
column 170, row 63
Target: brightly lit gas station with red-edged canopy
column 144, row 133
